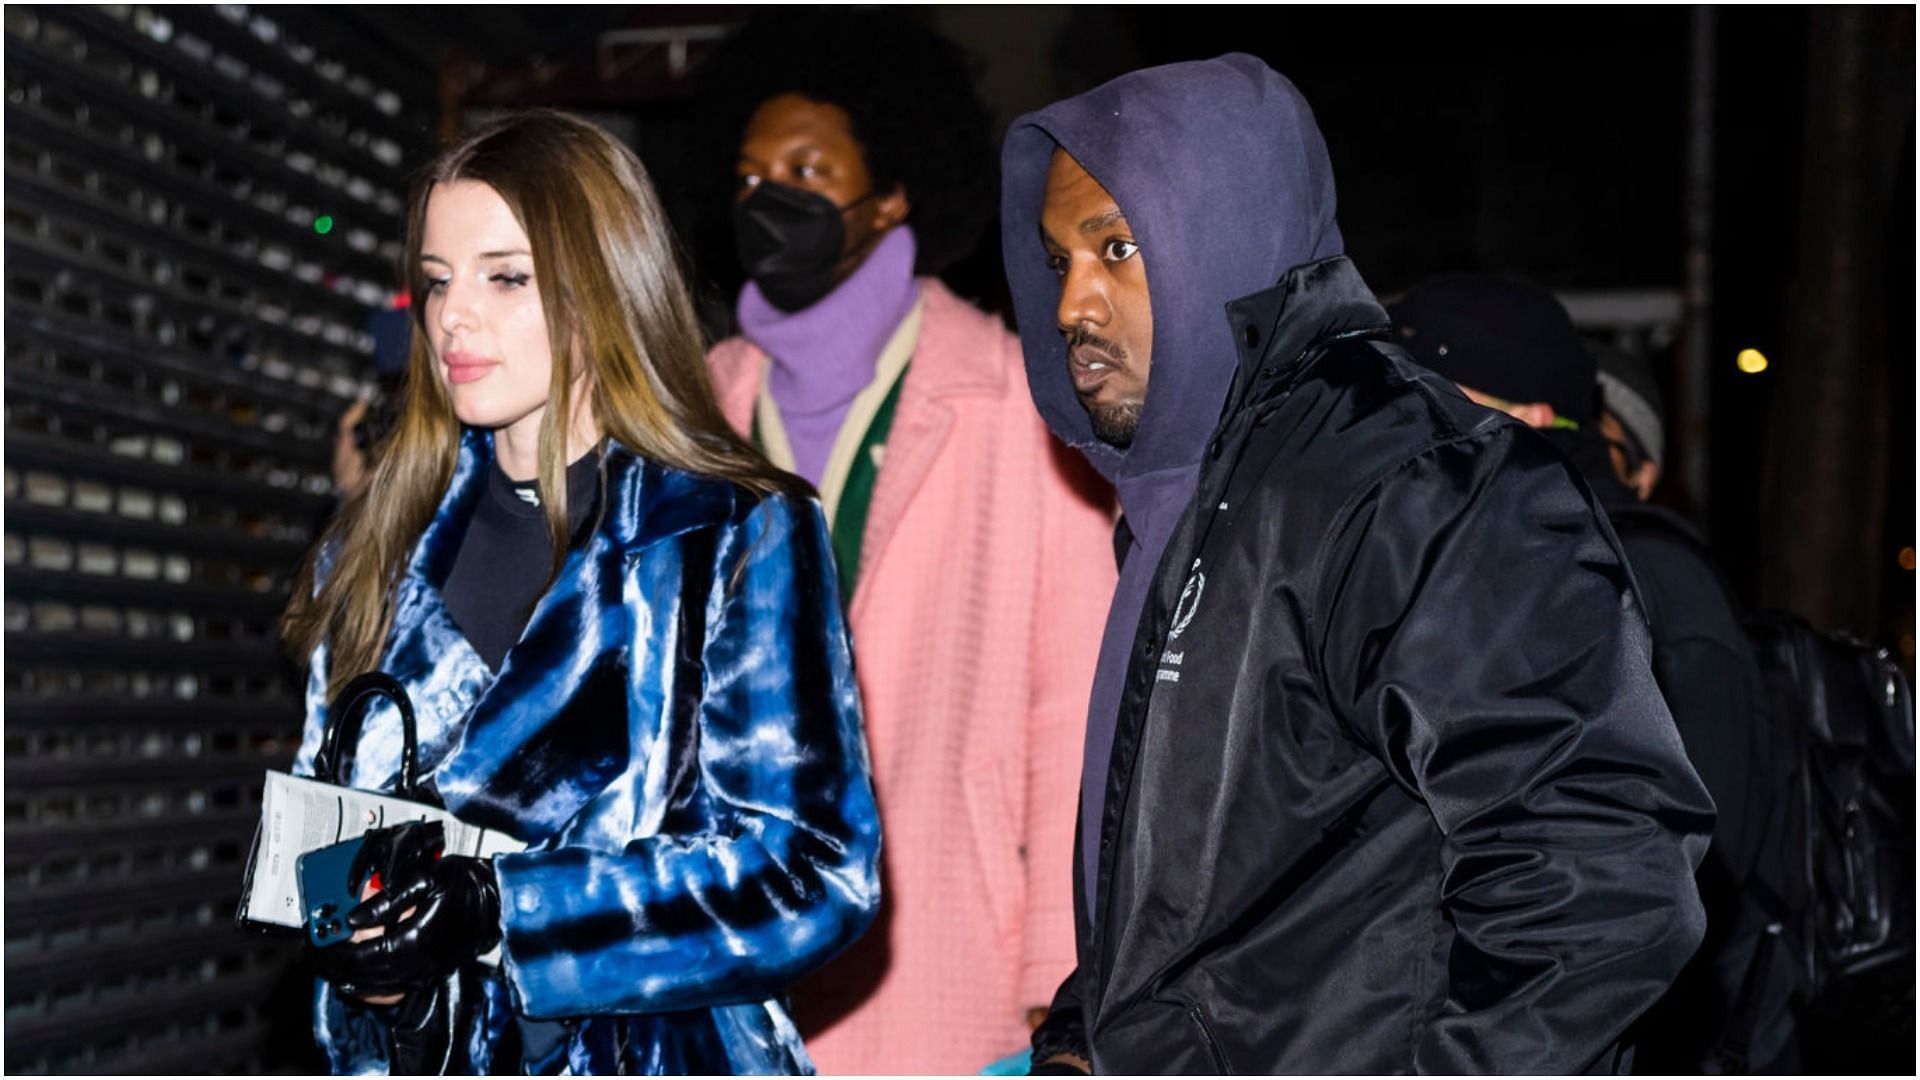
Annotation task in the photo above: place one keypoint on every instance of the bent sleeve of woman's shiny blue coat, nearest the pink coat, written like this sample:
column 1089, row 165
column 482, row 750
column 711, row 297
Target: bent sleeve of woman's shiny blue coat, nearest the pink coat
column 782, row 871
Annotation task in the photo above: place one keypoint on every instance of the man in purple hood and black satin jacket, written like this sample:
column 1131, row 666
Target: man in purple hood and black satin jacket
column 1378, row 777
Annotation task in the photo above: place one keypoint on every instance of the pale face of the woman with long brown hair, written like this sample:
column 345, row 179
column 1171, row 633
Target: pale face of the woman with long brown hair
column 483, row 312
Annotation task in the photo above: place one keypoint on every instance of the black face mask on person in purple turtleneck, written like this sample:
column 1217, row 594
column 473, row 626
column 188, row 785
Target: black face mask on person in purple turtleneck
column 790, row 243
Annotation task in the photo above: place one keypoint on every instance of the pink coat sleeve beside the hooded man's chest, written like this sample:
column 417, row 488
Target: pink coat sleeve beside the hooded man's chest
column 1076, row 583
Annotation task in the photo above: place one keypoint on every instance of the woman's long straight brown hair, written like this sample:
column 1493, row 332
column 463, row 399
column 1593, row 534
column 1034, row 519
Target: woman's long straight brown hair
column 619, row 314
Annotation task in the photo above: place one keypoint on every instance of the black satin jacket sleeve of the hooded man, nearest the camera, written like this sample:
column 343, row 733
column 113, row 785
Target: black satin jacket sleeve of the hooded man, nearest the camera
column 1483, row 637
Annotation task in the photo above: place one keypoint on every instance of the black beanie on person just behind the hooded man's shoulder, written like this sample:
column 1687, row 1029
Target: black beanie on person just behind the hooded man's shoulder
column 1502, row 337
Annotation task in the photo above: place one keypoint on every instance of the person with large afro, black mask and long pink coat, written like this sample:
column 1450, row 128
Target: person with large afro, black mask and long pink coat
column 972, row 547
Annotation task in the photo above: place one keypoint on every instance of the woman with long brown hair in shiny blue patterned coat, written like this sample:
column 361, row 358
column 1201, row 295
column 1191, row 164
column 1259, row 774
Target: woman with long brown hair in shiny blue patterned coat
column 621, row 635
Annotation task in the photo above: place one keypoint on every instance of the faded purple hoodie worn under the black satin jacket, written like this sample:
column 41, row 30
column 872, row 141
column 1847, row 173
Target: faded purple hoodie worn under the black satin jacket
column 1226, row 184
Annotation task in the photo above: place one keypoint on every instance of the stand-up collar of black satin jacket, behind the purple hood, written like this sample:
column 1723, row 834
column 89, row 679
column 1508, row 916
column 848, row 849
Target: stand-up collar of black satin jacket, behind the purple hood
column 1314, row 305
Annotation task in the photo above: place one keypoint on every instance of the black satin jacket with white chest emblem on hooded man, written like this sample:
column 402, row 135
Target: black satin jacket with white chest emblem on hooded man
column 1393, row 787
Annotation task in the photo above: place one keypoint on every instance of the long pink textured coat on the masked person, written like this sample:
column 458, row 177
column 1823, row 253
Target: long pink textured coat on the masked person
column 986, row 576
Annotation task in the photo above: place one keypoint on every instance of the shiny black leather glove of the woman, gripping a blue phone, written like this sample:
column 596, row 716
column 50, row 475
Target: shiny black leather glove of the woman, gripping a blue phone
column 439, row 914
